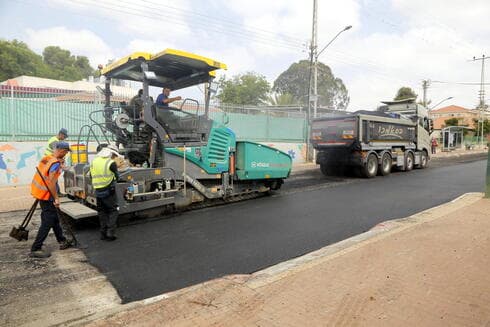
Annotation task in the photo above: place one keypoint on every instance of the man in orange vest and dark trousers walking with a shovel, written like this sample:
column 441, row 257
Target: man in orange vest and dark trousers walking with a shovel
column 50, row 168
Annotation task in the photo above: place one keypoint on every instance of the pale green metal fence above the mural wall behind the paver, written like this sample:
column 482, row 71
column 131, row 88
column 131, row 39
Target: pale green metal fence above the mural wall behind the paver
column 36, row 116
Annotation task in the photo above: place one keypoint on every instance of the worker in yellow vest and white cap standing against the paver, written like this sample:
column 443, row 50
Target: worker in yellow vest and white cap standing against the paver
column 103, row 171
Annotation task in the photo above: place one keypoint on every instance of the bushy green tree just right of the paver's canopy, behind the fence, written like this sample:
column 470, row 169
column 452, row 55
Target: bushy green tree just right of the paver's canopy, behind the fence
column 249, row 88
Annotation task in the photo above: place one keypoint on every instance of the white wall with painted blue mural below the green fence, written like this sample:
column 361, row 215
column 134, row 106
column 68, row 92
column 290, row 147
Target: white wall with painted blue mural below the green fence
column 18, row 160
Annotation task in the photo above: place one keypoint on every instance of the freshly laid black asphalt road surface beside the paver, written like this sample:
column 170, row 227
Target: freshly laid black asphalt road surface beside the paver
column 311, row 212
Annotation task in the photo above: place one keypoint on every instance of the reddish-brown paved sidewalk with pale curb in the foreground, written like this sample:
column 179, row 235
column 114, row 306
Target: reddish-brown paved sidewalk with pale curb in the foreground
column 430, row 269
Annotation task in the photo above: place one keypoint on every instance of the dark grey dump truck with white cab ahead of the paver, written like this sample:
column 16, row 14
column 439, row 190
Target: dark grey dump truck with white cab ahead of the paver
column 397, row 135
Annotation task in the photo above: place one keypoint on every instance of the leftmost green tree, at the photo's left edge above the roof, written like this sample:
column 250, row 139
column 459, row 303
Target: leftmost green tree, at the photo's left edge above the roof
column 17, row 59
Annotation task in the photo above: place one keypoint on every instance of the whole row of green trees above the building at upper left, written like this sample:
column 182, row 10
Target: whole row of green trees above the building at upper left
column 16, row 59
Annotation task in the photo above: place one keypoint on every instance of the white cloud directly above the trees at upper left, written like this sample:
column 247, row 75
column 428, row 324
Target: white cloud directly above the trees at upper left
column 79, row 42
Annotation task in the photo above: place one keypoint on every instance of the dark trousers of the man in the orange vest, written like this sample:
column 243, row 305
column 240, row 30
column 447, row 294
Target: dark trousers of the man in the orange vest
column 49, row 219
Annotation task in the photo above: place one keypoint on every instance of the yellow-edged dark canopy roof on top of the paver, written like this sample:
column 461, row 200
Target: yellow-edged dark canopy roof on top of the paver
column 174, row 69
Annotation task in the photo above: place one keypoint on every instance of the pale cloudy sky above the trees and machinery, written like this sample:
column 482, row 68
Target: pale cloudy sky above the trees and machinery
column 393, row 43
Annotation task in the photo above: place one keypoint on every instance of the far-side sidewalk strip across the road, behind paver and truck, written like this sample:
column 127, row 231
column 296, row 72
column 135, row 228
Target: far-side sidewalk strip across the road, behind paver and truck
column 19, row 198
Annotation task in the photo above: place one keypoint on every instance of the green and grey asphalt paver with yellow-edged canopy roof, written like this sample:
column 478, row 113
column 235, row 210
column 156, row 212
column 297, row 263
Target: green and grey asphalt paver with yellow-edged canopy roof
column 176, row 157
